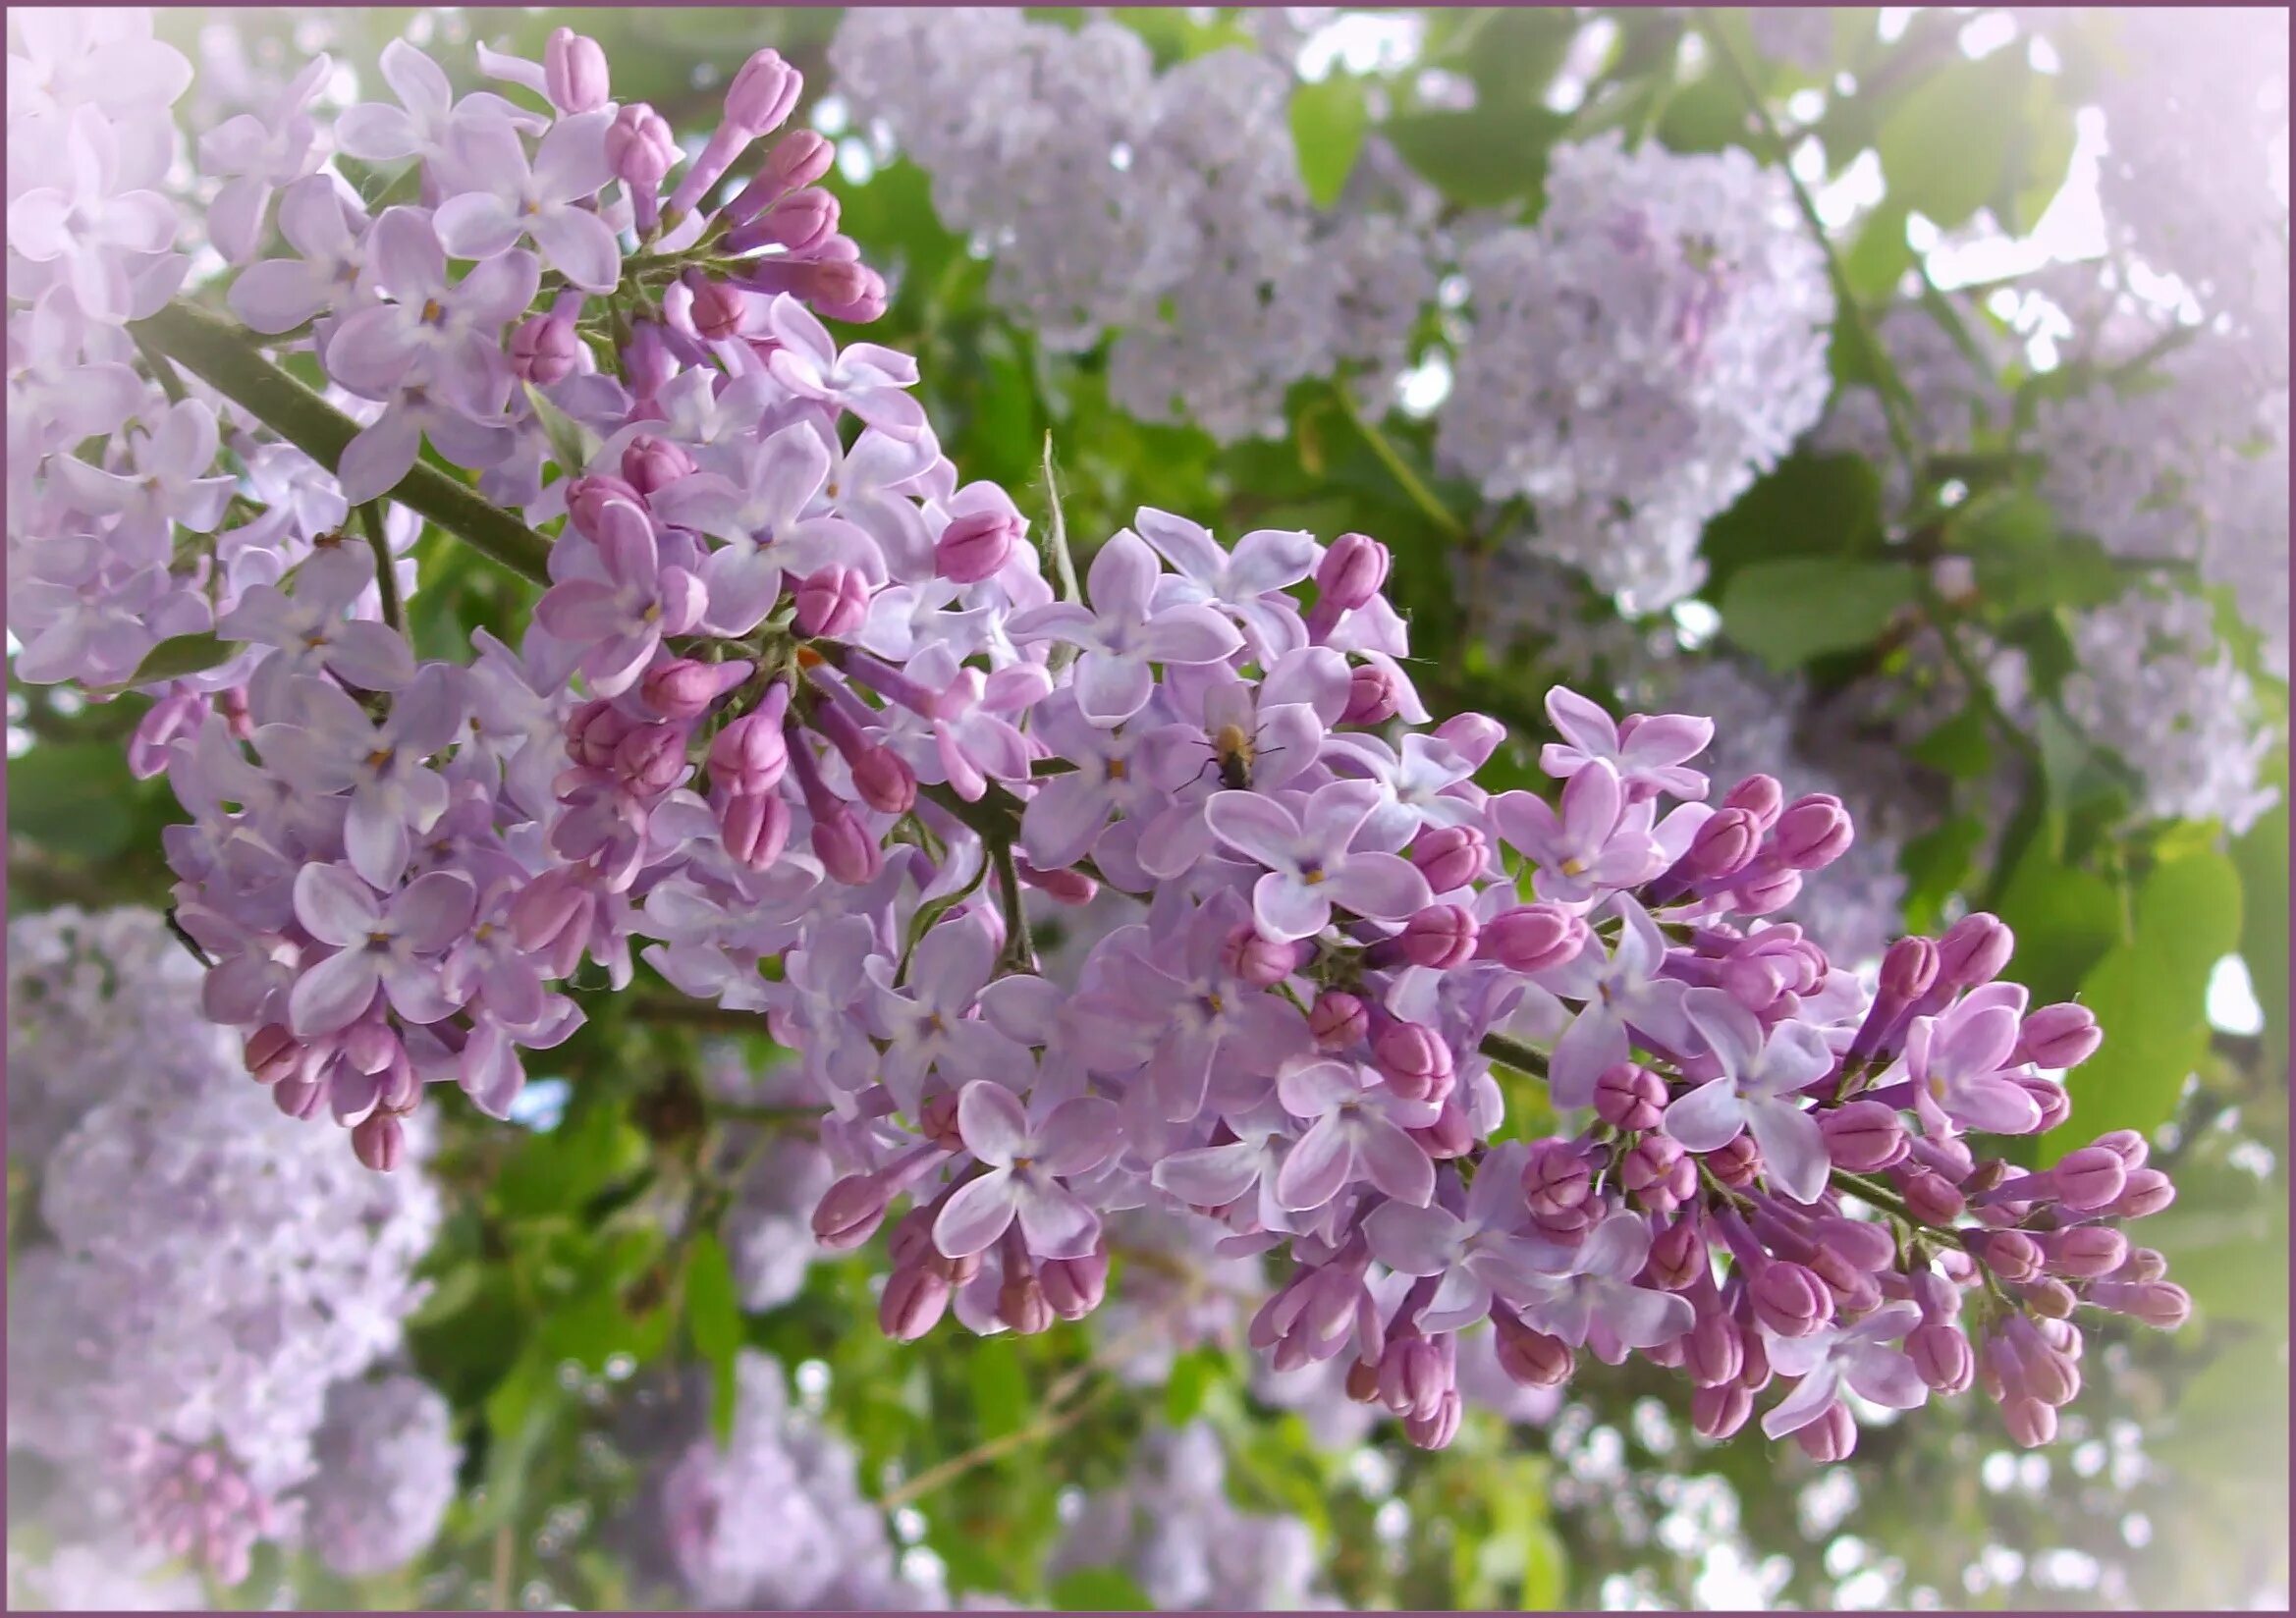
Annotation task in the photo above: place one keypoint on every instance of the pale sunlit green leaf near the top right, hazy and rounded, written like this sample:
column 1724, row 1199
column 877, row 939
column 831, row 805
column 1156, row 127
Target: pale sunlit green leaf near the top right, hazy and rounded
column 1946, row 143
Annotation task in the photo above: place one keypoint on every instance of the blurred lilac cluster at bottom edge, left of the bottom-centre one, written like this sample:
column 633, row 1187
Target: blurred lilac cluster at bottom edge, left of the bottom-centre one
column 773, row 1520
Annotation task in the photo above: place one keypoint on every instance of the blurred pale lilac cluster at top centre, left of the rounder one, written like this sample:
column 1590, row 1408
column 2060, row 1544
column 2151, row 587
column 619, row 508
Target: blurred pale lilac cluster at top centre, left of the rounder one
column 1163, row 208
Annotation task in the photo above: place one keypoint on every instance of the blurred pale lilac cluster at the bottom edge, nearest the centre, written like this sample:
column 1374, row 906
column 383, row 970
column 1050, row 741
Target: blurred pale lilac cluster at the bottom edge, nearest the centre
column 1188, row 1548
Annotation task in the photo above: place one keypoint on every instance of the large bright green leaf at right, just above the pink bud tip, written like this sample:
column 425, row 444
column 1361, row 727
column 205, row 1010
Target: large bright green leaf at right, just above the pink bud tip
column 2150, row 997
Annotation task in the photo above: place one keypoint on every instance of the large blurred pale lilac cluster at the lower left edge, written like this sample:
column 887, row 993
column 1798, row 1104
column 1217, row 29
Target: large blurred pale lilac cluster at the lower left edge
column 210, row 1275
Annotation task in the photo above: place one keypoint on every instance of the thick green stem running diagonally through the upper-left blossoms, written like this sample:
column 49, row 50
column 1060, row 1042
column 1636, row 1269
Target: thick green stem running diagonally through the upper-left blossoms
column 222, row 357
